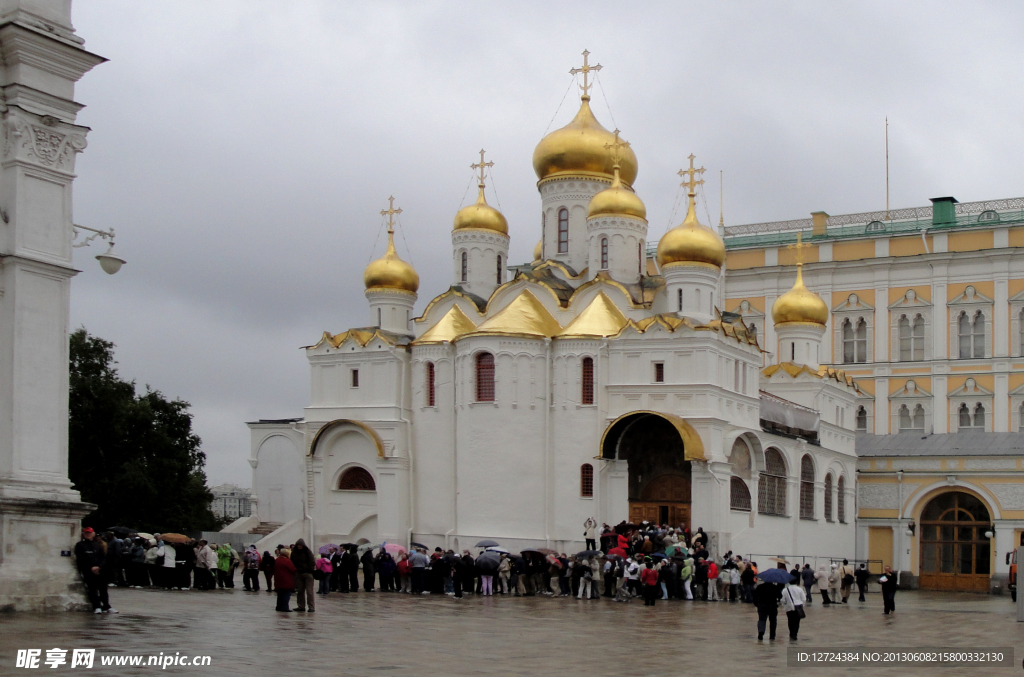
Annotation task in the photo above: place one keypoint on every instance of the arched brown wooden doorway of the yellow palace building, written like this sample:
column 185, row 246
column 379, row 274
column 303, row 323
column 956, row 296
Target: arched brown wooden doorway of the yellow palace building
column 955, row 553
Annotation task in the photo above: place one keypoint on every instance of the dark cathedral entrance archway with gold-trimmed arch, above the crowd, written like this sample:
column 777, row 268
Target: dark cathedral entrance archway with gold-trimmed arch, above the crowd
column 659, row 449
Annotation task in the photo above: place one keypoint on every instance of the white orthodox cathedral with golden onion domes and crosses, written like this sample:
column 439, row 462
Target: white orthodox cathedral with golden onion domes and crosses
column 602, row 380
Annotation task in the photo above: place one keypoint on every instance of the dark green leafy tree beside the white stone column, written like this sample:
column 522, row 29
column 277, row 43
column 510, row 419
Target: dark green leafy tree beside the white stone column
column 136, row 456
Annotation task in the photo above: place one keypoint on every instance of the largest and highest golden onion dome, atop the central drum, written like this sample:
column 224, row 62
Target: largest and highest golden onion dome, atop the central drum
column 581, row 148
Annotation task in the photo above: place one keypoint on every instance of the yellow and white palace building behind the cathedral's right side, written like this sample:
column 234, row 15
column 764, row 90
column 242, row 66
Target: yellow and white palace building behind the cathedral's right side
column 927, row 314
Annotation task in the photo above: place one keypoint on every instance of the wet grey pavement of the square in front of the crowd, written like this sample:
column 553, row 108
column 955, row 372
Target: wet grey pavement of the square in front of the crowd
column 374, row 634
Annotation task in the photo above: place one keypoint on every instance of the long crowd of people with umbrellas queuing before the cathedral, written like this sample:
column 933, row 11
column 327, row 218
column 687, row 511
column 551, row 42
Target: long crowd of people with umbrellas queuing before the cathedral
column 646, row 562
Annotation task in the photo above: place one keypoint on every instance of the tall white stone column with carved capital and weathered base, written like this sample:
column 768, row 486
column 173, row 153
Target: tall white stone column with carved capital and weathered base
column 41, row 513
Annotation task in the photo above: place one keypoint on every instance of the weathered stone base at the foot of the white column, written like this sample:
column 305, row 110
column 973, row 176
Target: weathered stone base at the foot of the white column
column 34, row 575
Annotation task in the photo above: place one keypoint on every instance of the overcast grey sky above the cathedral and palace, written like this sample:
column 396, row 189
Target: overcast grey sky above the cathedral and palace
column 243, row 151
